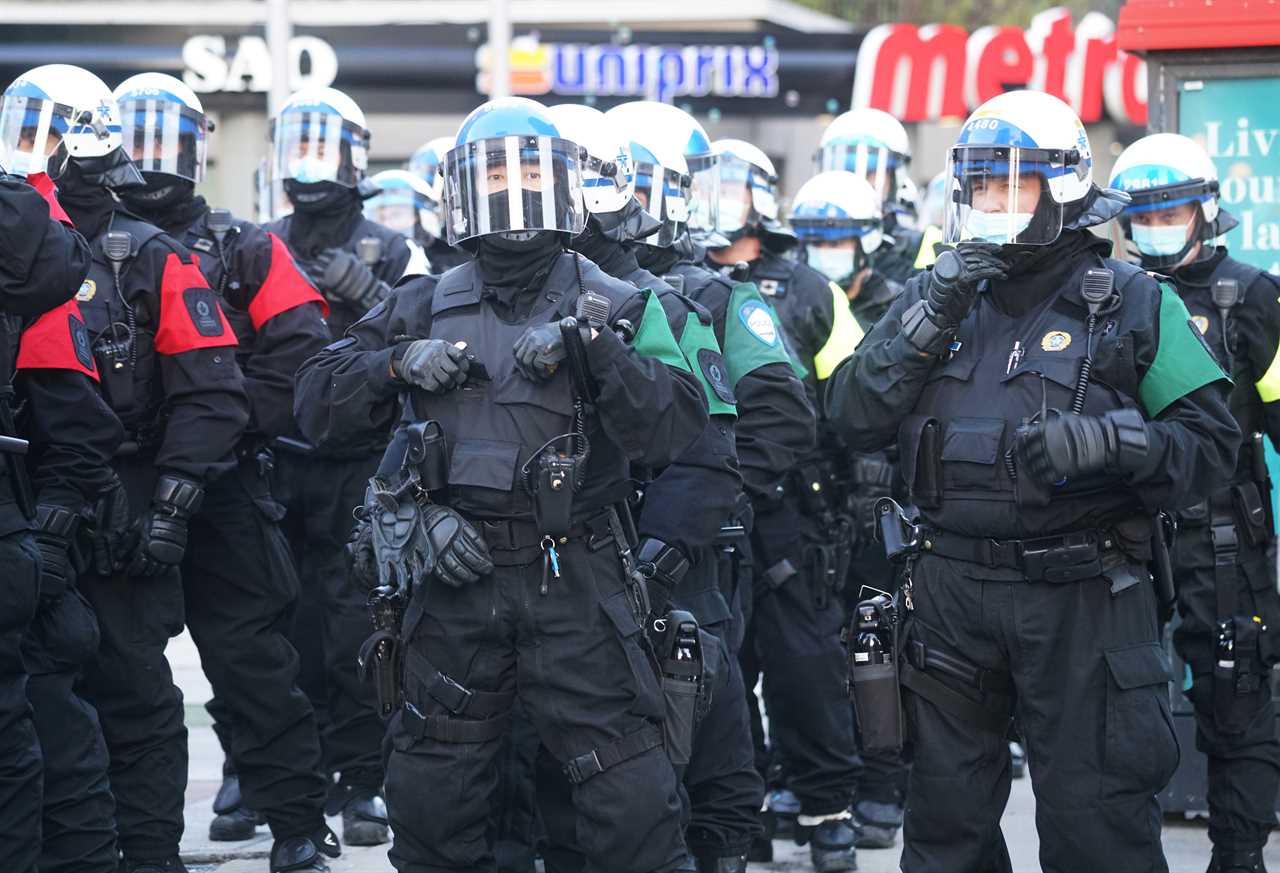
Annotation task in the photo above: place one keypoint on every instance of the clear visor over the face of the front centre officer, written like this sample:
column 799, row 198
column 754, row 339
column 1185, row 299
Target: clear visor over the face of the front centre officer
column 514, row 184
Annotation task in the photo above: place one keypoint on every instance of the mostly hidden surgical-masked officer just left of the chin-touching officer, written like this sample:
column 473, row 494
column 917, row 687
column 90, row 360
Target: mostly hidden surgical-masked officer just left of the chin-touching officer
column 838, row 218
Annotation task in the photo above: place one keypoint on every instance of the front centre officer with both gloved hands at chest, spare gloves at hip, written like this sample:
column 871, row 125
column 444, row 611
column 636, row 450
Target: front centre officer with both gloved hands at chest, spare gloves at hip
column 524, row 518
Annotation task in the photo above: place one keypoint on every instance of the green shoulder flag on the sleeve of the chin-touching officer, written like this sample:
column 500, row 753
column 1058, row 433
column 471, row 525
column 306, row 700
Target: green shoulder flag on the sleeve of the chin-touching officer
column 1183, row 360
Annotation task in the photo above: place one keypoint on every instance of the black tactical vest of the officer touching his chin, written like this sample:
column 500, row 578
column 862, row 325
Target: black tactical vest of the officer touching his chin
column 957, row 446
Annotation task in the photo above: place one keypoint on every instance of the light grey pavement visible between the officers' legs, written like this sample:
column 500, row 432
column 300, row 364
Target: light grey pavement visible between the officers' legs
column 1186, row 843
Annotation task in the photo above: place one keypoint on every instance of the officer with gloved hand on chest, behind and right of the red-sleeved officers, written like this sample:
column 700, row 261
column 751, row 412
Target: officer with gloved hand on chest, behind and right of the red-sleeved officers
column 319, row 156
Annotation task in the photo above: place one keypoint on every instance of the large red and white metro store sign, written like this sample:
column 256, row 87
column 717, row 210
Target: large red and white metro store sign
column 925, row 74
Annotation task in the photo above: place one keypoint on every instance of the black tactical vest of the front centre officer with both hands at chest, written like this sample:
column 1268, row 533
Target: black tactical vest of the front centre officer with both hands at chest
column 495, row 427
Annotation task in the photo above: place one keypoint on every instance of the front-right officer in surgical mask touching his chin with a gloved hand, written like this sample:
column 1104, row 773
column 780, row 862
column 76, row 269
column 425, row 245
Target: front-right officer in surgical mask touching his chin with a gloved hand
column 1046, row 401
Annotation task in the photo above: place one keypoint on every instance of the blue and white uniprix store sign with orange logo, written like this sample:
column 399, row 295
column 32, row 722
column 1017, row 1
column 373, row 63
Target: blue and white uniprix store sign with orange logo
column 655, row 72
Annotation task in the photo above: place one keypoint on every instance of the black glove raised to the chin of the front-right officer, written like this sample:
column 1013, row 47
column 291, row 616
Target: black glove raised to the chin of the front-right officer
column 954, row 282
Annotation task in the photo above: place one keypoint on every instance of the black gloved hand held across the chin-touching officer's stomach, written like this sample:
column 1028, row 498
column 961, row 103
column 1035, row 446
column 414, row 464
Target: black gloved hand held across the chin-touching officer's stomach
column 1069, row 446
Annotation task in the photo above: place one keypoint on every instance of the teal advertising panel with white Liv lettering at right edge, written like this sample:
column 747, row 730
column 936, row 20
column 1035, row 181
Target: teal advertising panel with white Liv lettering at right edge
column 1238, row 122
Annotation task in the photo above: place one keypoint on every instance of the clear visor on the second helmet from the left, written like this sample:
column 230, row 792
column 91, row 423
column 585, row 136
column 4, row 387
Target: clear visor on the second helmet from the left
column 166, row 138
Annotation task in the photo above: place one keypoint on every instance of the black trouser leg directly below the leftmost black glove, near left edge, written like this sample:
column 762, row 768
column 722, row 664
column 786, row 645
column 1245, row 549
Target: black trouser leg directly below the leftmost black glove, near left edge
column 79, row 810
